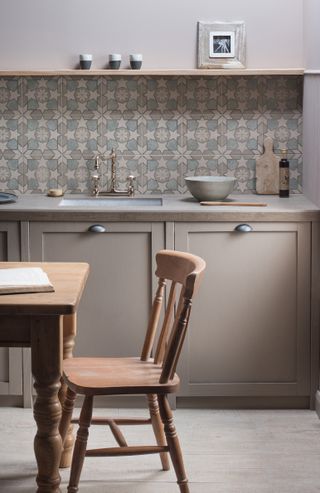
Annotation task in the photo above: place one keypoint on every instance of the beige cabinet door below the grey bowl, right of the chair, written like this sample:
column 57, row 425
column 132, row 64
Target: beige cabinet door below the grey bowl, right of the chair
column 250, row 327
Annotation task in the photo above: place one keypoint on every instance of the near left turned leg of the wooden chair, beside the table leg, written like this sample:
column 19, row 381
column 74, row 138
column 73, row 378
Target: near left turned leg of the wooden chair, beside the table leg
column 81, row 444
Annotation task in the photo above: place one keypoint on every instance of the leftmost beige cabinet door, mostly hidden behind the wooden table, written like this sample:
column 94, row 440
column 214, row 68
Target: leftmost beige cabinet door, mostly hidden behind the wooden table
column 10, row 358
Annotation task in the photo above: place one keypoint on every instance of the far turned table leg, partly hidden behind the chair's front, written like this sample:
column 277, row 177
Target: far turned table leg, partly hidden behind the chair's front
column 69, row 332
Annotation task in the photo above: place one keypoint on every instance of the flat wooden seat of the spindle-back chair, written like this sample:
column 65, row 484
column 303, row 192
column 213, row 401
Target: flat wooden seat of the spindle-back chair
column 110, row 376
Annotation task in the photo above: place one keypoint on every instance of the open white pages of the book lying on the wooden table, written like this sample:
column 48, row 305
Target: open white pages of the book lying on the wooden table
column 24, row 276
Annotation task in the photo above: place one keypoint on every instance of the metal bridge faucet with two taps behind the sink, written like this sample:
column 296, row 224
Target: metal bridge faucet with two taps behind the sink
column 113, row 190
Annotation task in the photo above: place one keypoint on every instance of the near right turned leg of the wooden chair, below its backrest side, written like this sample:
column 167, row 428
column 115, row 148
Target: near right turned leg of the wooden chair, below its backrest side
column 173, row 443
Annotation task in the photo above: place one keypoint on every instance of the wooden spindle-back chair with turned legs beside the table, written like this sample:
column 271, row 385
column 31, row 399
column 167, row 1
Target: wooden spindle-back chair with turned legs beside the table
column 155, row 377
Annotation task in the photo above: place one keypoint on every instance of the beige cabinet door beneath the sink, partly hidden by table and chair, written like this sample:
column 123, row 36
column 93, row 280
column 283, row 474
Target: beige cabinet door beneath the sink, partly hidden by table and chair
column 114, row 308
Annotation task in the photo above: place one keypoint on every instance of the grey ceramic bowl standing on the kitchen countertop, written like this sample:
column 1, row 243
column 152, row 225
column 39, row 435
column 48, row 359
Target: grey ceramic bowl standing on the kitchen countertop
column 210, row 187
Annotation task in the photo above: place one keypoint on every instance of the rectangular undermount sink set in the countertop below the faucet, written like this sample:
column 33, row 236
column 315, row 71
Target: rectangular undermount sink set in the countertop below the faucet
column 96, row 202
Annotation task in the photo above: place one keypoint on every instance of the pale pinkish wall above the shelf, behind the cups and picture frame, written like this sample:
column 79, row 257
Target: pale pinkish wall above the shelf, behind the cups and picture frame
column 50, row 33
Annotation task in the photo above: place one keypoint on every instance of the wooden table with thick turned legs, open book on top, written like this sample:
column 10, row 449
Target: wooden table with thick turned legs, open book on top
column 46, row 322
